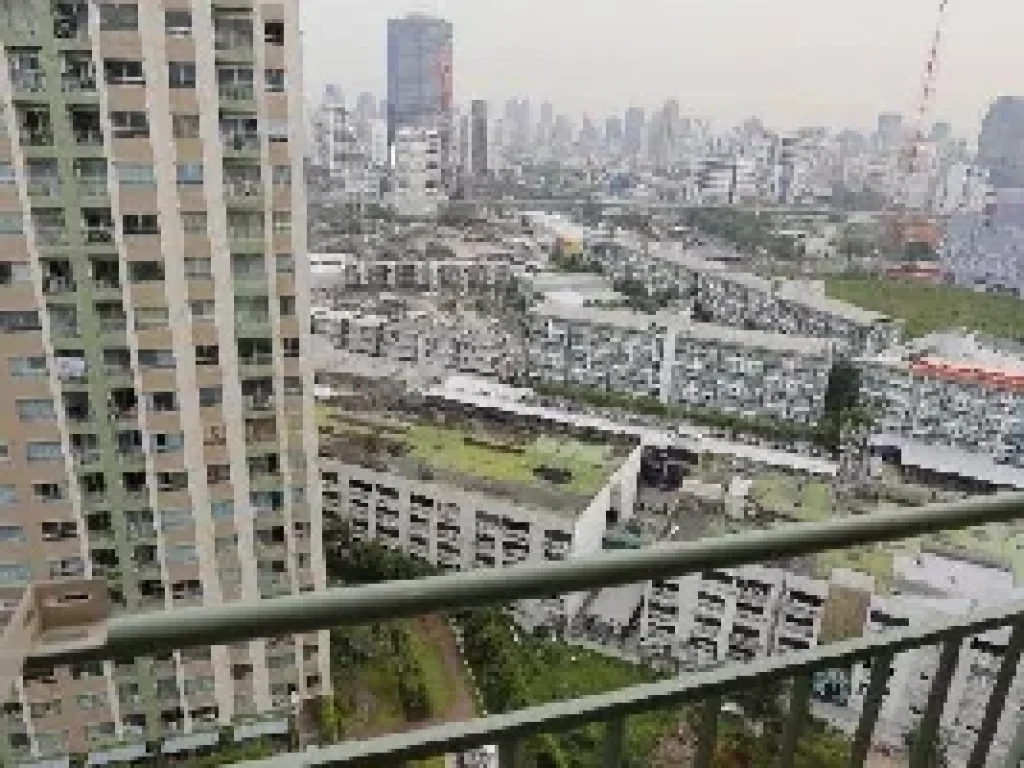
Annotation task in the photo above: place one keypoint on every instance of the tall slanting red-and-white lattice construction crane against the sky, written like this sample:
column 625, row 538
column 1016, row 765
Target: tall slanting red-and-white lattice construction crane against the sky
column 911, row 225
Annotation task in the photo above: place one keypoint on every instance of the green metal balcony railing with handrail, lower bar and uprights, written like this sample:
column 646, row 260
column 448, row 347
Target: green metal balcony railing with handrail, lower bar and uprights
column 129, row 636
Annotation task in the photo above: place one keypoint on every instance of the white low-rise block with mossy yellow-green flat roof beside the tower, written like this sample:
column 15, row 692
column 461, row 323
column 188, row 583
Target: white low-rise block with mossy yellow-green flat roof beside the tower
column 478, row 496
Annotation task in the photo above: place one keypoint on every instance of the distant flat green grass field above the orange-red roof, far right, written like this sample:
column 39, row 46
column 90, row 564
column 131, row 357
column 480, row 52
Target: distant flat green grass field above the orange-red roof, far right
column 926, row 309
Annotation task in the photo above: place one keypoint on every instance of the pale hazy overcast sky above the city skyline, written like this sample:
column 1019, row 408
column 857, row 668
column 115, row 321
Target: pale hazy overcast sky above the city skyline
column 790, row 62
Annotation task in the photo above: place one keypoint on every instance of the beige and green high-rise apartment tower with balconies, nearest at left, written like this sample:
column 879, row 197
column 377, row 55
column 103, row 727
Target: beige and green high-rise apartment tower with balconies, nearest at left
column 157, row 421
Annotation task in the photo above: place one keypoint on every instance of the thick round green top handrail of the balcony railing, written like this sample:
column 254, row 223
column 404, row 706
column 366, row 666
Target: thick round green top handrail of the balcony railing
column 148, row 634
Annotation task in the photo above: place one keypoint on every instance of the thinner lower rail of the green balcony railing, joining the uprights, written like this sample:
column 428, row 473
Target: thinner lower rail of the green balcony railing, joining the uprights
column 700, row 687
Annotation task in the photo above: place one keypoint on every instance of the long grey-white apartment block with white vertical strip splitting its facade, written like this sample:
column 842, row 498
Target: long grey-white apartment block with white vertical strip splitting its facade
column 750, row 373
